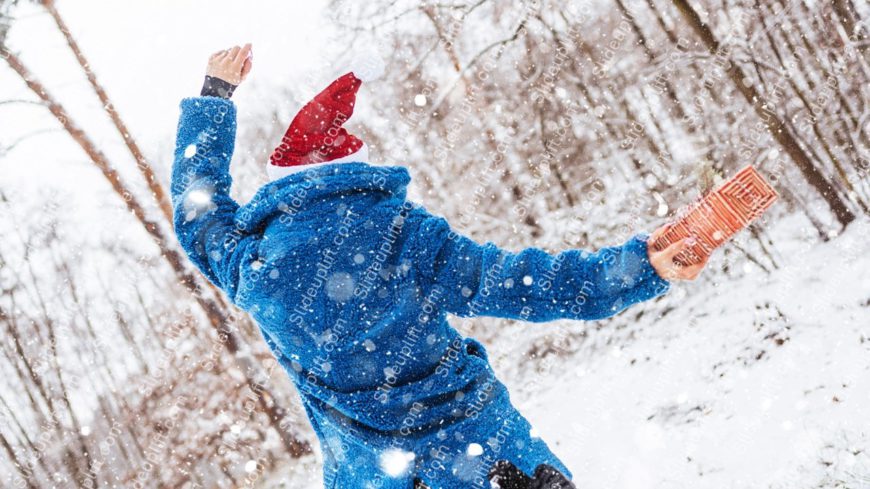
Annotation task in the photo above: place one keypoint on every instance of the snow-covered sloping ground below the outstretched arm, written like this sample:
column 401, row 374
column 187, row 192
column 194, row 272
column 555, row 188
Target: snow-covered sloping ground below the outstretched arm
column 757, row 382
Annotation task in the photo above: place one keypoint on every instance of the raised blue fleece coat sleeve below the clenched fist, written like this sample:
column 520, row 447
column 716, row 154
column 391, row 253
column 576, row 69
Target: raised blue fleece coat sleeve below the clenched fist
column 204, row 213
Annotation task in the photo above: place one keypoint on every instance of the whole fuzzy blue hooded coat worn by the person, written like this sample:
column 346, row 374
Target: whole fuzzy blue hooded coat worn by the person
column 351, row 284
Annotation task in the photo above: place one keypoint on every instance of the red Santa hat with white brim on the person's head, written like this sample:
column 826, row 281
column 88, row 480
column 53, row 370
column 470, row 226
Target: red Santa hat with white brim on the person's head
column 316, row 135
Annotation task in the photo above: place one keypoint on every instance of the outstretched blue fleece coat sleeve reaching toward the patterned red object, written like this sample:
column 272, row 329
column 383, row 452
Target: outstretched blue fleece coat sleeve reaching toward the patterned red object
column 472, row 279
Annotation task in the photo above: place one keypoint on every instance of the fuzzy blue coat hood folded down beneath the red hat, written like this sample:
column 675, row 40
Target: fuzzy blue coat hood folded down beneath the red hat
column 304, row 190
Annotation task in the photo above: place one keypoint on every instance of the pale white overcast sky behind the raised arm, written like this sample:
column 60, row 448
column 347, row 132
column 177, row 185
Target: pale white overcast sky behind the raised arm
column 148, row 55
